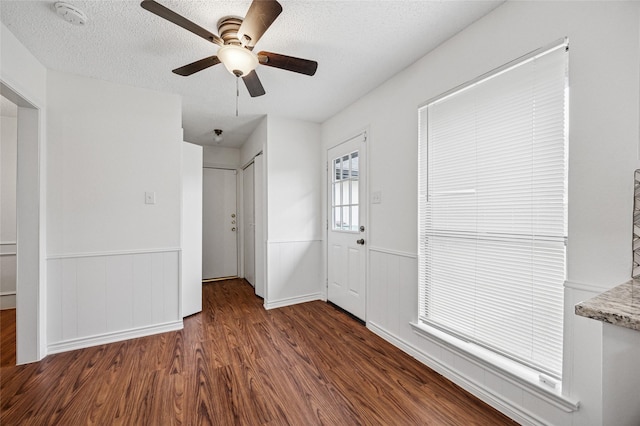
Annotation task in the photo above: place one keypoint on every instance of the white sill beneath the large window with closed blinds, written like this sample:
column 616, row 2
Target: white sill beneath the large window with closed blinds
column 522, row 376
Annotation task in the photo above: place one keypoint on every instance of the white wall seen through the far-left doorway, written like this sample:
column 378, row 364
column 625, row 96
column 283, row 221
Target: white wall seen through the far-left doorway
column 8, row 160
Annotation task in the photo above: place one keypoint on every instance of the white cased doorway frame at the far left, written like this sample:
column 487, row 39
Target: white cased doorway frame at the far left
column 31, row 228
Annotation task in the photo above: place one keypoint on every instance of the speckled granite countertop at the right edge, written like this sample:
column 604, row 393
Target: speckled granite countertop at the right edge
column 618, row 306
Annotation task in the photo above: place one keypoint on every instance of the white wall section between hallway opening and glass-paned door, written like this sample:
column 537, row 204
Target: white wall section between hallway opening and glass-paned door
column 294, row 202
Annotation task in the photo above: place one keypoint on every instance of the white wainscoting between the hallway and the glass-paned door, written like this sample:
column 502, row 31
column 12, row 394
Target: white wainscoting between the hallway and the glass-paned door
column 294, row 272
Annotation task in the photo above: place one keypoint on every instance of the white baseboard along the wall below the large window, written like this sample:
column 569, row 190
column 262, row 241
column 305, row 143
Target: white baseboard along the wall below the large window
column 514, row 412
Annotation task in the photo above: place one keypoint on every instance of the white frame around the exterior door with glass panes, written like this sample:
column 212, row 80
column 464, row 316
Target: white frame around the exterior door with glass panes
column 363, row 200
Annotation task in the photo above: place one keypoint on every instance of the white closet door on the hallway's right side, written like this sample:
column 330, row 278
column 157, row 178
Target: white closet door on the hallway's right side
column 248, row 222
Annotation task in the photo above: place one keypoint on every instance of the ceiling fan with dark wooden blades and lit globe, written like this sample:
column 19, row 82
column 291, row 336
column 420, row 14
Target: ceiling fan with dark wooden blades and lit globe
column 237, row 39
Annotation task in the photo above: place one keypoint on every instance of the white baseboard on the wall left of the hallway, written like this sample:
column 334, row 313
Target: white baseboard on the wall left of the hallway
column 102, row 339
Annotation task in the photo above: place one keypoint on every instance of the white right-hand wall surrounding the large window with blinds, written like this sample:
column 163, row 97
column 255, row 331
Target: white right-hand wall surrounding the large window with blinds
column 604, row 109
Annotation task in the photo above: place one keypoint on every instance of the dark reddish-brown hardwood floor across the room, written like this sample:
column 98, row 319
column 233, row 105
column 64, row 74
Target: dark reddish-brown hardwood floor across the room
column 236, row 363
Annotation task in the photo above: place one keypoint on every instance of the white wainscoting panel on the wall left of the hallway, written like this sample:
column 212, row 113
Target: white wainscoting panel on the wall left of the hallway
column 98, row 298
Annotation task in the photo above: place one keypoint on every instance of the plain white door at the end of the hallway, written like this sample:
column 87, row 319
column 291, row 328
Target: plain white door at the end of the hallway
column 219, row 224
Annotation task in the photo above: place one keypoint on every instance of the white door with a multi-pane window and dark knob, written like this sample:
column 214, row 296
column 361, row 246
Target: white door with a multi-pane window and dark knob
column 346, row 231
